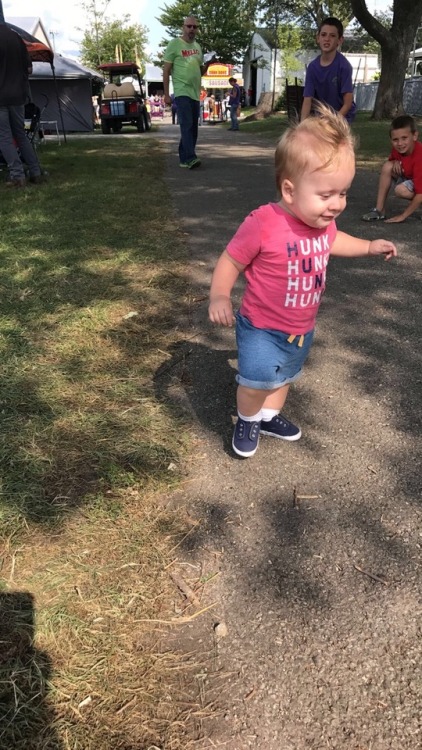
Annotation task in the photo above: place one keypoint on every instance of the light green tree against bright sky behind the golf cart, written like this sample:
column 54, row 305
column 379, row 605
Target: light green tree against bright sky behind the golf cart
column 105, row 38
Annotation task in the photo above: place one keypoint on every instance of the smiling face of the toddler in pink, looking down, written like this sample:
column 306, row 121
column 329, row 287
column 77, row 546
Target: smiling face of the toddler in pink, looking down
column 318, row 197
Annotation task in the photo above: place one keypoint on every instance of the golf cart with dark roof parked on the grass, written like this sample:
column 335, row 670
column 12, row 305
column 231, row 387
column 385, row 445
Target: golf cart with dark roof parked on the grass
column 122, row 101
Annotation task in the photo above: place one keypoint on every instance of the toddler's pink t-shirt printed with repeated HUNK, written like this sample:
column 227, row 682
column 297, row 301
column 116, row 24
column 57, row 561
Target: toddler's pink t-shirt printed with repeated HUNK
column 286, row 264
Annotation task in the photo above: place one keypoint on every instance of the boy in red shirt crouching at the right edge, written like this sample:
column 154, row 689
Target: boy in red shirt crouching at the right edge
column 403, row 168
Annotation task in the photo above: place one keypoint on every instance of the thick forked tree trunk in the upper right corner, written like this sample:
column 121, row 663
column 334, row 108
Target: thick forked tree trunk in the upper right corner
column 396, row 45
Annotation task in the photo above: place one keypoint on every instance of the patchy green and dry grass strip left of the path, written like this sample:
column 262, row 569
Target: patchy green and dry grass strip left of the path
column 92, row 273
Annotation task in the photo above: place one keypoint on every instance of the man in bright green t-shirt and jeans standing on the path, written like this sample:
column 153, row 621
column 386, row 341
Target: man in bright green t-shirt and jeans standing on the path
column 183, row 61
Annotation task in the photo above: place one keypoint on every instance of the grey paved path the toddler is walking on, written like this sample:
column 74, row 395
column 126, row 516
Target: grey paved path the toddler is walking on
column 317, row 544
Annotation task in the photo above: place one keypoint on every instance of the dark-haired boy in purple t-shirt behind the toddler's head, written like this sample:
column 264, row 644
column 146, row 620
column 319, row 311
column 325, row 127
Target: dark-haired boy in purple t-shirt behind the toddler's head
column 329, row 76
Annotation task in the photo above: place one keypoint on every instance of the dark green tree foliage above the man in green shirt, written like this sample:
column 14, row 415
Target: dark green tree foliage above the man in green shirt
column 226, row 26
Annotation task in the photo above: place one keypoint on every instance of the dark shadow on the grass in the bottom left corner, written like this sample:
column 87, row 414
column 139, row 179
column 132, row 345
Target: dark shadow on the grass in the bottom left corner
column 26, row 720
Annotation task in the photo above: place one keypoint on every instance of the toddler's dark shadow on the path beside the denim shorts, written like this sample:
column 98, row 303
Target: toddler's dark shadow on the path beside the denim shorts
column 200, row 381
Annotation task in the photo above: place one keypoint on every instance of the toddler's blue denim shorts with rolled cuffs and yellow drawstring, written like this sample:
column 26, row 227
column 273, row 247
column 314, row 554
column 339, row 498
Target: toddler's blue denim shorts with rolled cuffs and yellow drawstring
column 266, row 358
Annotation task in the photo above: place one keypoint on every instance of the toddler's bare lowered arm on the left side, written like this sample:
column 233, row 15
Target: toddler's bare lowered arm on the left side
column 223, row 280
